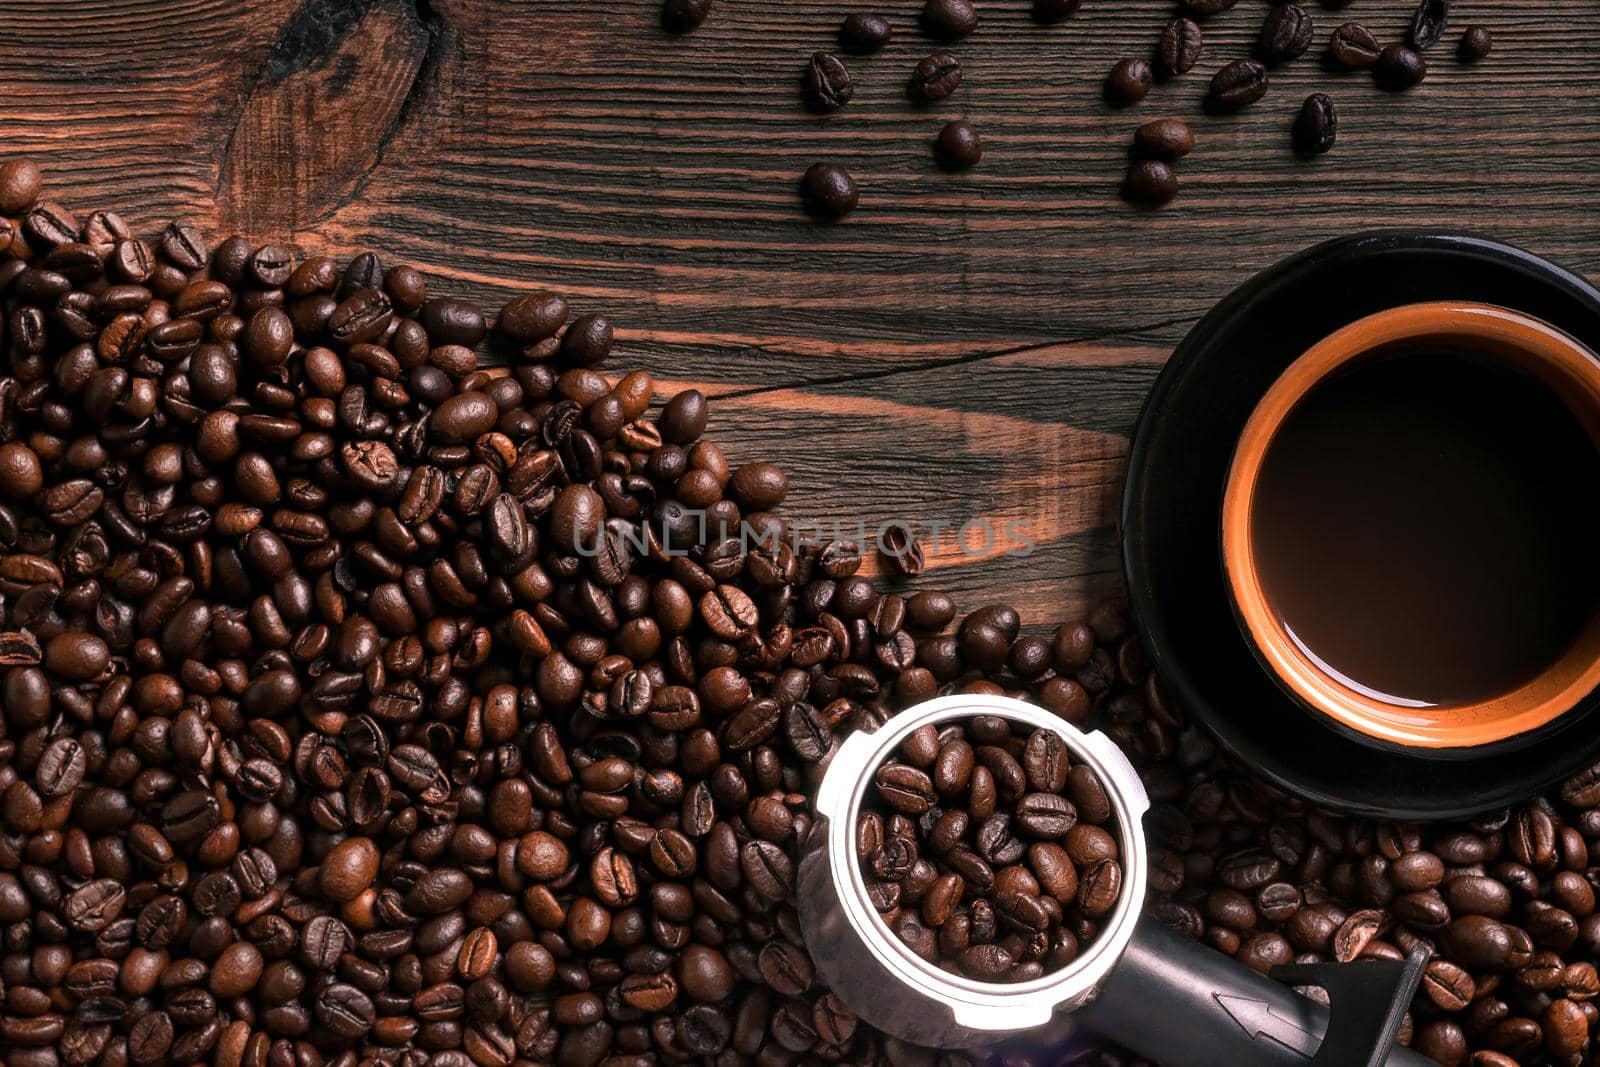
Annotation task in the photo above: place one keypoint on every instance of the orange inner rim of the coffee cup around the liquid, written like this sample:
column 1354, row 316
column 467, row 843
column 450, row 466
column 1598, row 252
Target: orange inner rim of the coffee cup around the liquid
column 1551, row 356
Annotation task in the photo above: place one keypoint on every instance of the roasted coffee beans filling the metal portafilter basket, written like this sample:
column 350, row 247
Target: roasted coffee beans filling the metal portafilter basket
column 986, row 850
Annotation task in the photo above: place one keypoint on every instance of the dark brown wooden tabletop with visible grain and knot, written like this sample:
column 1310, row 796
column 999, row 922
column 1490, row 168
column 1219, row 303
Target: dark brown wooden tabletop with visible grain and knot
column 970, row 346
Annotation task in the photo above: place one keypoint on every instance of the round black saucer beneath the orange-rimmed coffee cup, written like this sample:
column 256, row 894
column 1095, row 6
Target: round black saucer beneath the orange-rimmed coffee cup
column 1172, row 506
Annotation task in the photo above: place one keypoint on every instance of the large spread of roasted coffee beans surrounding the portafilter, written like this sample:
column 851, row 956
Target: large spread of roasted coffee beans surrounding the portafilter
column 362, row 705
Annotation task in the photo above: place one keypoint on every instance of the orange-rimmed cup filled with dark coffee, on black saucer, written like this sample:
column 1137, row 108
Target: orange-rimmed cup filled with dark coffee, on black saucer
column 1409, row 526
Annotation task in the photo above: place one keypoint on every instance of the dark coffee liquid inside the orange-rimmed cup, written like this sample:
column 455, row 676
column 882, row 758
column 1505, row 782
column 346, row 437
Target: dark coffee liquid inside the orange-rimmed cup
column 1426, row 527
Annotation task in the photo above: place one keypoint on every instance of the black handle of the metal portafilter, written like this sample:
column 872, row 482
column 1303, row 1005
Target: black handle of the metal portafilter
column 1185, row 1005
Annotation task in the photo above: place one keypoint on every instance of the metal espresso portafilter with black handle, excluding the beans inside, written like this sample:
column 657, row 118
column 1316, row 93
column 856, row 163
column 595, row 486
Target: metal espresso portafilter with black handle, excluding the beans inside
column 1138, row 985
